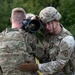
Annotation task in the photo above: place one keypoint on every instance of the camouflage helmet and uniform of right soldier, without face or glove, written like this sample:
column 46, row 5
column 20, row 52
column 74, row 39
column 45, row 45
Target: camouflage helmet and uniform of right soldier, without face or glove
column 60, row 48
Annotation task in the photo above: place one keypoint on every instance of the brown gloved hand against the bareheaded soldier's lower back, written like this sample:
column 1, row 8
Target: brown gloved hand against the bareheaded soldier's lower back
column 28, row 67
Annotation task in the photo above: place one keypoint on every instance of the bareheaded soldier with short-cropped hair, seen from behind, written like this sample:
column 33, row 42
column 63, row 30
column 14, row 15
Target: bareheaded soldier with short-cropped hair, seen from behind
column 14, row 46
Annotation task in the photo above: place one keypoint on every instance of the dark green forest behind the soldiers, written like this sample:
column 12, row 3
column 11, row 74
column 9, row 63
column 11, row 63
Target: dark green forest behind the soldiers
column 65, row 7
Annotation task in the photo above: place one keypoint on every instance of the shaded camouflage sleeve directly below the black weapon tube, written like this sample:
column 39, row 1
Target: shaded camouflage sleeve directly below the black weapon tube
column 32, row 45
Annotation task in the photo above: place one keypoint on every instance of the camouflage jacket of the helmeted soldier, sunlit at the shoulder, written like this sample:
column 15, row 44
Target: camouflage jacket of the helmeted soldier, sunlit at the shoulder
column 60, row 49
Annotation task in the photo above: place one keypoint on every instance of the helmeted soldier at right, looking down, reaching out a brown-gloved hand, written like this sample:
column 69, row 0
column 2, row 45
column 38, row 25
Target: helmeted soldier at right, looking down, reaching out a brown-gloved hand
column 58, row 43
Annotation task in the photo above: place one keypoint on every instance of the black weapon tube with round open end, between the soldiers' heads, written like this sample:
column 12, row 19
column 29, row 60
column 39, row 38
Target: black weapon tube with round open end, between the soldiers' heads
column 31, row 26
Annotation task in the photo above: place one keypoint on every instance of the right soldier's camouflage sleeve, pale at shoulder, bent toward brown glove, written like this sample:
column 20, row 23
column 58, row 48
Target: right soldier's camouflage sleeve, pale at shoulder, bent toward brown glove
column 66, row 49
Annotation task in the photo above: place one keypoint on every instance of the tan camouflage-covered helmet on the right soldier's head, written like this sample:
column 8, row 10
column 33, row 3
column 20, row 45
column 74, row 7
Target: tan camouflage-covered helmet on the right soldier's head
column 48, row 14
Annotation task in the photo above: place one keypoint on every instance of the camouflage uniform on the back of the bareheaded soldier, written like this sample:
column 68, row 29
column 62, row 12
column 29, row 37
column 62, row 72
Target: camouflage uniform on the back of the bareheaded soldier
column 14, row 51
